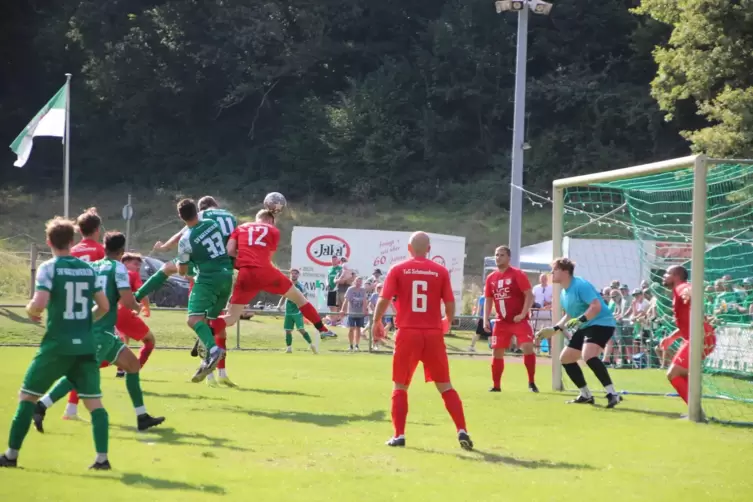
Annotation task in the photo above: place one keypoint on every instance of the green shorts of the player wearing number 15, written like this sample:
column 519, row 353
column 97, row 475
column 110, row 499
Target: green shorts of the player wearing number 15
column 48, row 366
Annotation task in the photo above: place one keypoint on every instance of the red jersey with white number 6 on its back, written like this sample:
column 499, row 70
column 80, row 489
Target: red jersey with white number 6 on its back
column 420, row 286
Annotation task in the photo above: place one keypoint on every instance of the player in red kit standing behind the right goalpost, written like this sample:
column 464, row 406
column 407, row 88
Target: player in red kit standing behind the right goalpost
column 676, row 278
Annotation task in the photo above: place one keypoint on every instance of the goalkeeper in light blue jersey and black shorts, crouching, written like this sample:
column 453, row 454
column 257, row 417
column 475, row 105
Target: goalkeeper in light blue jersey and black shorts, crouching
column 592, row 325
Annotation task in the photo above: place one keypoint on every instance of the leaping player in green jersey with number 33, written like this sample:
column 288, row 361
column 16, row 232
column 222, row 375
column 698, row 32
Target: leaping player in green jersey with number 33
column 204, row 245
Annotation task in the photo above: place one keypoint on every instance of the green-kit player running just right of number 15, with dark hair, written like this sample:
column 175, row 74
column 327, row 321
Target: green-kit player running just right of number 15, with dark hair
column 112, row 278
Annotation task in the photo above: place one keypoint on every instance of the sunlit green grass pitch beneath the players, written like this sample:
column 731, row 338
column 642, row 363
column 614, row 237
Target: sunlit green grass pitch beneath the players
column 312, row 428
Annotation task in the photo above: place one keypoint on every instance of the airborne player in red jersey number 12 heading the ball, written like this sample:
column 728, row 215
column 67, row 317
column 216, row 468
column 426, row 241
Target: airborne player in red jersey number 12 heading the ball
column 253, row 245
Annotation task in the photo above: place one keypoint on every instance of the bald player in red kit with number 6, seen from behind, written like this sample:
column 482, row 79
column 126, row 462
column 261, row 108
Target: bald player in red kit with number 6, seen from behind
column 420, row 286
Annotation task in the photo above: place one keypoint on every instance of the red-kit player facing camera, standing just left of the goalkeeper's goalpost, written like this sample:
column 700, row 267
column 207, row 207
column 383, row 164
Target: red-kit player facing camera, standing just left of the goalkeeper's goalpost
column 510, row 291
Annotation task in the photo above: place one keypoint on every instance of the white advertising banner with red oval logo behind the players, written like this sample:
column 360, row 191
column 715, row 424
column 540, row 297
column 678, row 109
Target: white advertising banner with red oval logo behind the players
column 314, row 247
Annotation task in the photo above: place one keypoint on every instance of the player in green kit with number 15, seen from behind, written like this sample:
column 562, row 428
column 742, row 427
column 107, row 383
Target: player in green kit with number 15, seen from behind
column 67, row 288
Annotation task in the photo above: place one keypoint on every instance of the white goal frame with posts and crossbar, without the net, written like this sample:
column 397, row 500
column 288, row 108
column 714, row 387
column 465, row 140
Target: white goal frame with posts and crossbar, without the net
column 700, row 164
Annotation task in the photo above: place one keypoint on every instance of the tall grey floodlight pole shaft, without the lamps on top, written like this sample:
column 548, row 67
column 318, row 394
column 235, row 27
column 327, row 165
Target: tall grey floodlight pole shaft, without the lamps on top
column 518, row 138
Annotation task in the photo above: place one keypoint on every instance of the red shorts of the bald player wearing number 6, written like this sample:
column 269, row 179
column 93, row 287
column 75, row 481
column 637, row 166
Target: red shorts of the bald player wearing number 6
column 414, row 346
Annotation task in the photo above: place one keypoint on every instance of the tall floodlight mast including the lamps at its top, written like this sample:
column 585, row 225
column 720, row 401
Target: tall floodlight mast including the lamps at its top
column 519, row 144
